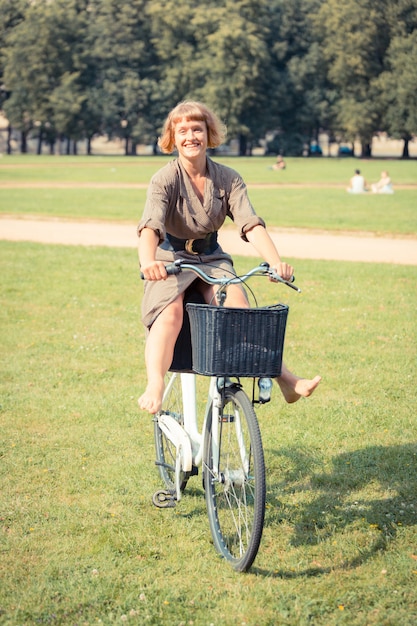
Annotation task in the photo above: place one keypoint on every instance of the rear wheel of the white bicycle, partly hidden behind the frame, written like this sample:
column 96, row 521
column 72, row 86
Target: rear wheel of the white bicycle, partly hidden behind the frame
column 165, row 450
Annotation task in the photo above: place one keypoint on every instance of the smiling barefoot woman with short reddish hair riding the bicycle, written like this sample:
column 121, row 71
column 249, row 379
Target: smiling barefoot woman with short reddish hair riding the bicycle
column 188, row 201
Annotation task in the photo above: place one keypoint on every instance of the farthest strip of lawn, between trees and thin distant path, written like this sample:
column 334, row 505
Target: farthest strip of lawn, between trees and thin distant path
column 81, row 169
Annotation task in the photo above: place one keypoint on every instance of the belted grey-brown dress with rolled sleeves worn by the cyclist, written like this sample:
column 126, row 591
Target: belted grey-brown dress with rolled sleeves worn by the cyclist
column 173, row 207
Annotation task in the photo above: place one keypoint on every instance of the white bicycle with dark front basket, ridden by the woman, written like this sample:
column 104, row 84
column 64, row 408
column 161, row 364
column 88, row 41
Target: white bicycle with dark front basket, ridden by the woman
column 227, row 344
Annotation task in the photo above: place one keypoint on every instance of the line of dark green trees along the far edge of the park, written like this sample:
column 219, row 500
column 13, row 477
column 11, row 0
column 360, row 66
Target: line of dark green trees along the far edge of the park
column 74, row 69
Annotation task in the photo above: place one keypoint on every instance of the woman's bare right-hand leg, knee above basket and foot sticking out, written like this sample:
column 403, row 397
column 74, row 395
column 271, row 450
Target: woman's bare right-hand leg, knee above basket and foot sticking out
column 292, row 387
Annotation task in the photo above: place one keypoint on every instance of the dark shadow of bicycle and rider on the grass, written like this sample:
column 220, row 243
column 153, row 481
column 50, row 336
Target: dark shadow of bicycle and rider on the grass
column 372, row 488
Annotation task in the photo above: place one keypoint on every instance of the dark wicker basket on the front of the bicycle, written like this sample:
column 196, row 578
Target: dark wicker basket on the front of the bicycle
column 237, row 342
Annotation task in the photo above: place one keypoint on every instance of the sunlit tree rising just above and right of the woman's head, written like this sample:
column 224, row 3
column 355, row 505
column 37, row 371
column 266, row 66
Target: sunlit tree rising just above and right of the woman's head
column 235, row 57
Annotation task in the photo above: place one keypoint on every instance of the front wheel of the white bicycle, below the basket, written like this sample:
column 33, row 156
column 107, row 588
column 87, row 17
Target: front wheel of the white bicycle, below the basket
column 235, row 497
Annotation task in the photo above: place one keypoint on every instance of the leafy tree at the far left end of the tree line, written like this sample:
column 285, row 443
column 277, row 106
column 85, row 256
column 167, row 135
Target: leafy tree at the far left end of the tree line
column 42, row 49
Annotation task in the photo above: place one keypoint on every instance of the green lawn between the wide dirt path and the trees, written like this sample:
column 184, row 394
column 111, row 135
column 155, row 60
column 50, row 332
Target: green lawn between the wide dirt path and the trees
column 306, row 195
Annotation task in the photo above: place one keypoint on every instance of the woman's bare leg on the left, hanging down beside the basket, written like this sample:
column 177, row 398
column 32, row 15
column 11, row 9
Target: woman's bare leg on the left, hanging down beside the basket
column 159, row 351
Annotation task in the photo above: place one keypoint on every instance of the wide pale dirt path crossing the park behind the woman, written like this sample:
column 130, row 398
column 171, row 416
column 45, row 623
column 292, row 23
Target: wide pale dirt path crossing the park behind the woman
column 299, row 244
